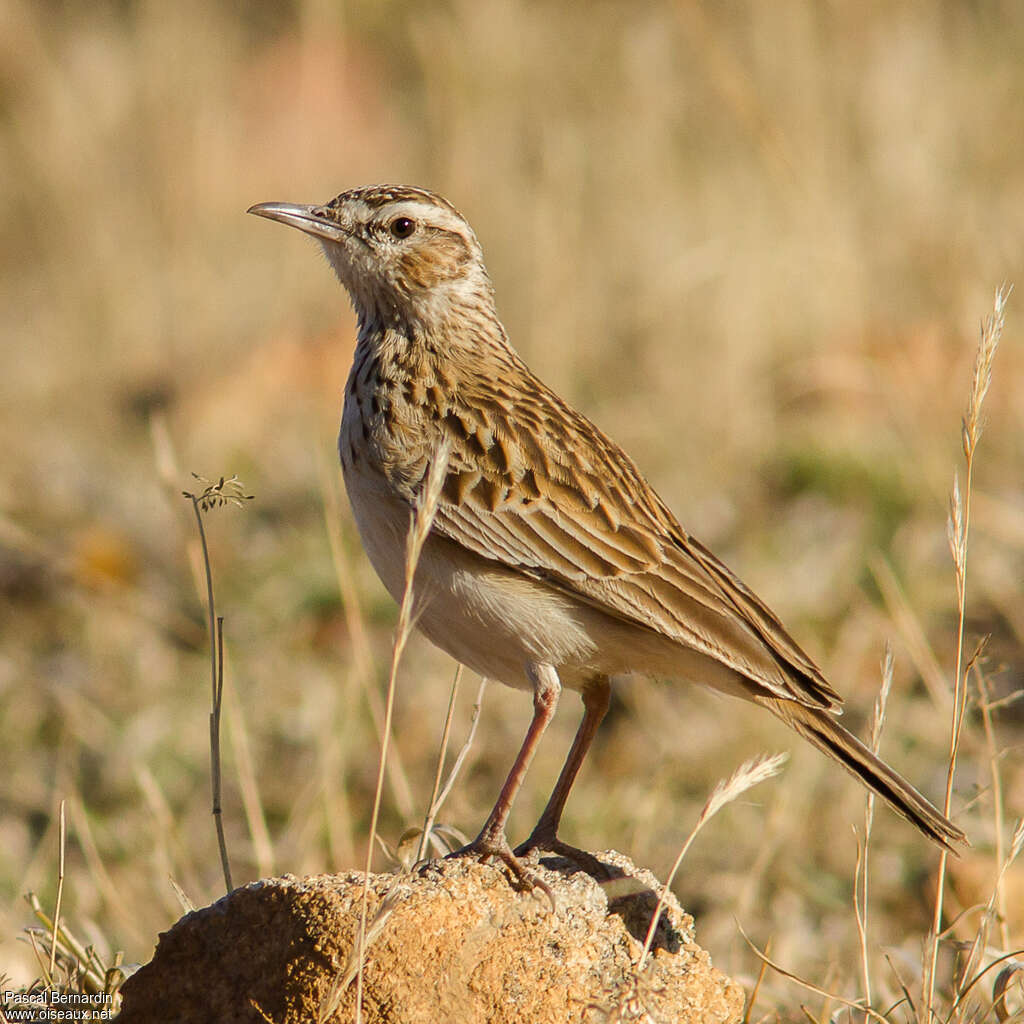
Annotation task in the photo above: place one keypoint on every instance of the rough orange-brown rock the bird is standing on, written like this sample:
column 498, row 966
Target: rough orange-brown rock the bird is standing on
column 453, row 942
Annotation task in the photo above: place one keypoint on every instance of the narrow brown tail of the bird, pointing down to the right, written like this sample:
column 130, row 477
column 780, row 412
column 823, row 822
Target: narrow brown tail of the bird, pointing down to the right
column 821, row 729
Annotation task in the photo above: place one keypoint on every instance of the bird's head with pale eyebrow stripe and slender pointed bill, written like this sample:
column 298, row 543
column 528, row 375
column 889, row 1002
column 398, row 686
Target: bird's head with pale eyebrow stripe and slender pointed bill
column 404, row 254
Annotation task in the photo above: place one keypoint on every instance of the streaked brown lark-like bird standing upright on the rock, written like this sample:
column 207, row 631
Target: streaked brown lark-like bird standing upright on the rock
column 550, row 563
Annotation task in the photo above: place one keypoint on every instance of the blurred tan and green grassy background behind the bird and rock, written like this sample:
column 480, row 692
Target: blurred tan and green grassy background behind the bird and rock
column 753, row 242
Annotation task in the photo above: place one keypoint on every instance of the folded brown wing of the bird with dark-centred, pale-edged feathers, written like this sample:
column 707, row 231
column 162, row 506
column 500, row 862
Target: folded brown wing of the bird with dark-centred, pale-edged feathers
column 537, row 488
